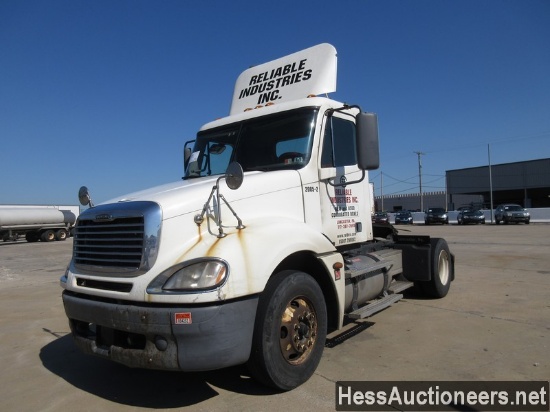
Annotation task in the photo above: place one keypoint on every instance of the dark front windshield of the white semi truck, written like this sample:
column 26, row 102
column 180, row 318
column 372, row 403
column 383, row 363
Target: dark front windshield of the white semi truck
column 279, row 141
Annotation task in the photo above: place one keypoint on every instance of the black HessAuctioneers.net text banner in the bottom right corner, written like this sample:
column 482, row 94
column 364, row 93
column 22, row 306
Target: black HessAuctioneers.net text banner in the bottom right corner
column 442, row 396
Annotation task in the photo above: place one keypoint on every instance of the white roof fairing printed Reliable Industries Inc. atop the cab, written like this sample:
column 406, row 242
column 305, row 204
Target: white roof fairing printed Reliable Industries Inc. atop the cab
column 310, row 71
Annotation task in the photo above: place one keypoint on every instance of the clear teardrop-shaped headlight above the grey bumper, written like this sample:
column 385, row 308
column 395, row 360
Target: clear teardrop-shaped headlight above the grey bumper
column 191, row 276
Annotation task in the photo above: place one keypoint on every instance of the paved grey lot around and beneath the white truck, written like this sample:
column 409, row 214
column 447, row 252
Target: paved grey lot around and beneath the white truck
column 494, row 325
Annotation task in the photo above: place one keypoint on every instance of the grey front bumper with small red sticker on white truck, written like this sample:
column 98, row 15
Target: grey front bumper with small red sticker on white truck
column 185, row 338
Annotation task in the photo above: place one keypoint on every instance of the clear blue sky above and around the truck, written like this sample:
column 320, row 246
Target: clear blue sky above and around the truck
column 105, row 93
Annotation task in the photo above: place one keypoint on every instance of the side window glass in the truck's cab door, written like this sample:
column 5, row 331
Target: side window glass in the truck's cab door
column 339, row 143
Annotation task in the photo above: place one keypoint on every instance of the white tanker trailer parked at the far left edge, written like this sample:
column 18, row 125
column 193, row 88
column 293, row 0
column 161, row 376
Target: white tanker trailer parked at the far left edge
column 36, row 222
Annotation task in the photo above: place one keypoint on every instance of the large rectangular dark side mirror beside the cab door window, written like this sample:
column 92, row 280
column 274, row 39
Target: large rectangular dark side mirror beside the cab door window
column 368, row 151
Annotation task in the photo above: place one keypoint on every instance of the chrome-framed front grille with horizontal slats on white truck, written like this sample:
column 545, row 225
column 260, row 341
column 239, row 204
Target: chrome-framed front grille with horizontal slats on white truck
column 121, row 239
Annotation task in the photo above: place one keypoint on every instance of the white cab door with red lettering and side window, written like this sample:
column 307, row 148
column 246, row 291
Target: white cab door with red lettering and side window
column 344, row 189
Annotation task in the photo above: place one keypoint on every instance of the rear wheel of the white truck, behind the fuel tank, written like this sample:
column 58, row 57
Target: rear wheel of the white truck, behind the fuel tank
column 442, row 270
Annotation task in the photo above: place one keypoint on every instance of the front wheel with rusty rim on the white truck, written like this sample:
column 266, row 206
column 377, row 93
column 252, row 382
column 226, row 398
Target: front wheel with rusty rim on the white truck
column 290, row 331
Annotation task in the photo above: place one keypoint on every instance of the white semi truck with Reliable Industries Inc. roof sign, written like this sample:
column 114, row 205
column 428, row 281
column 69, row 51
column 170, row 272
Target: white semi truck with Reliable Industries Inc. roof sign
column 265, row 246
